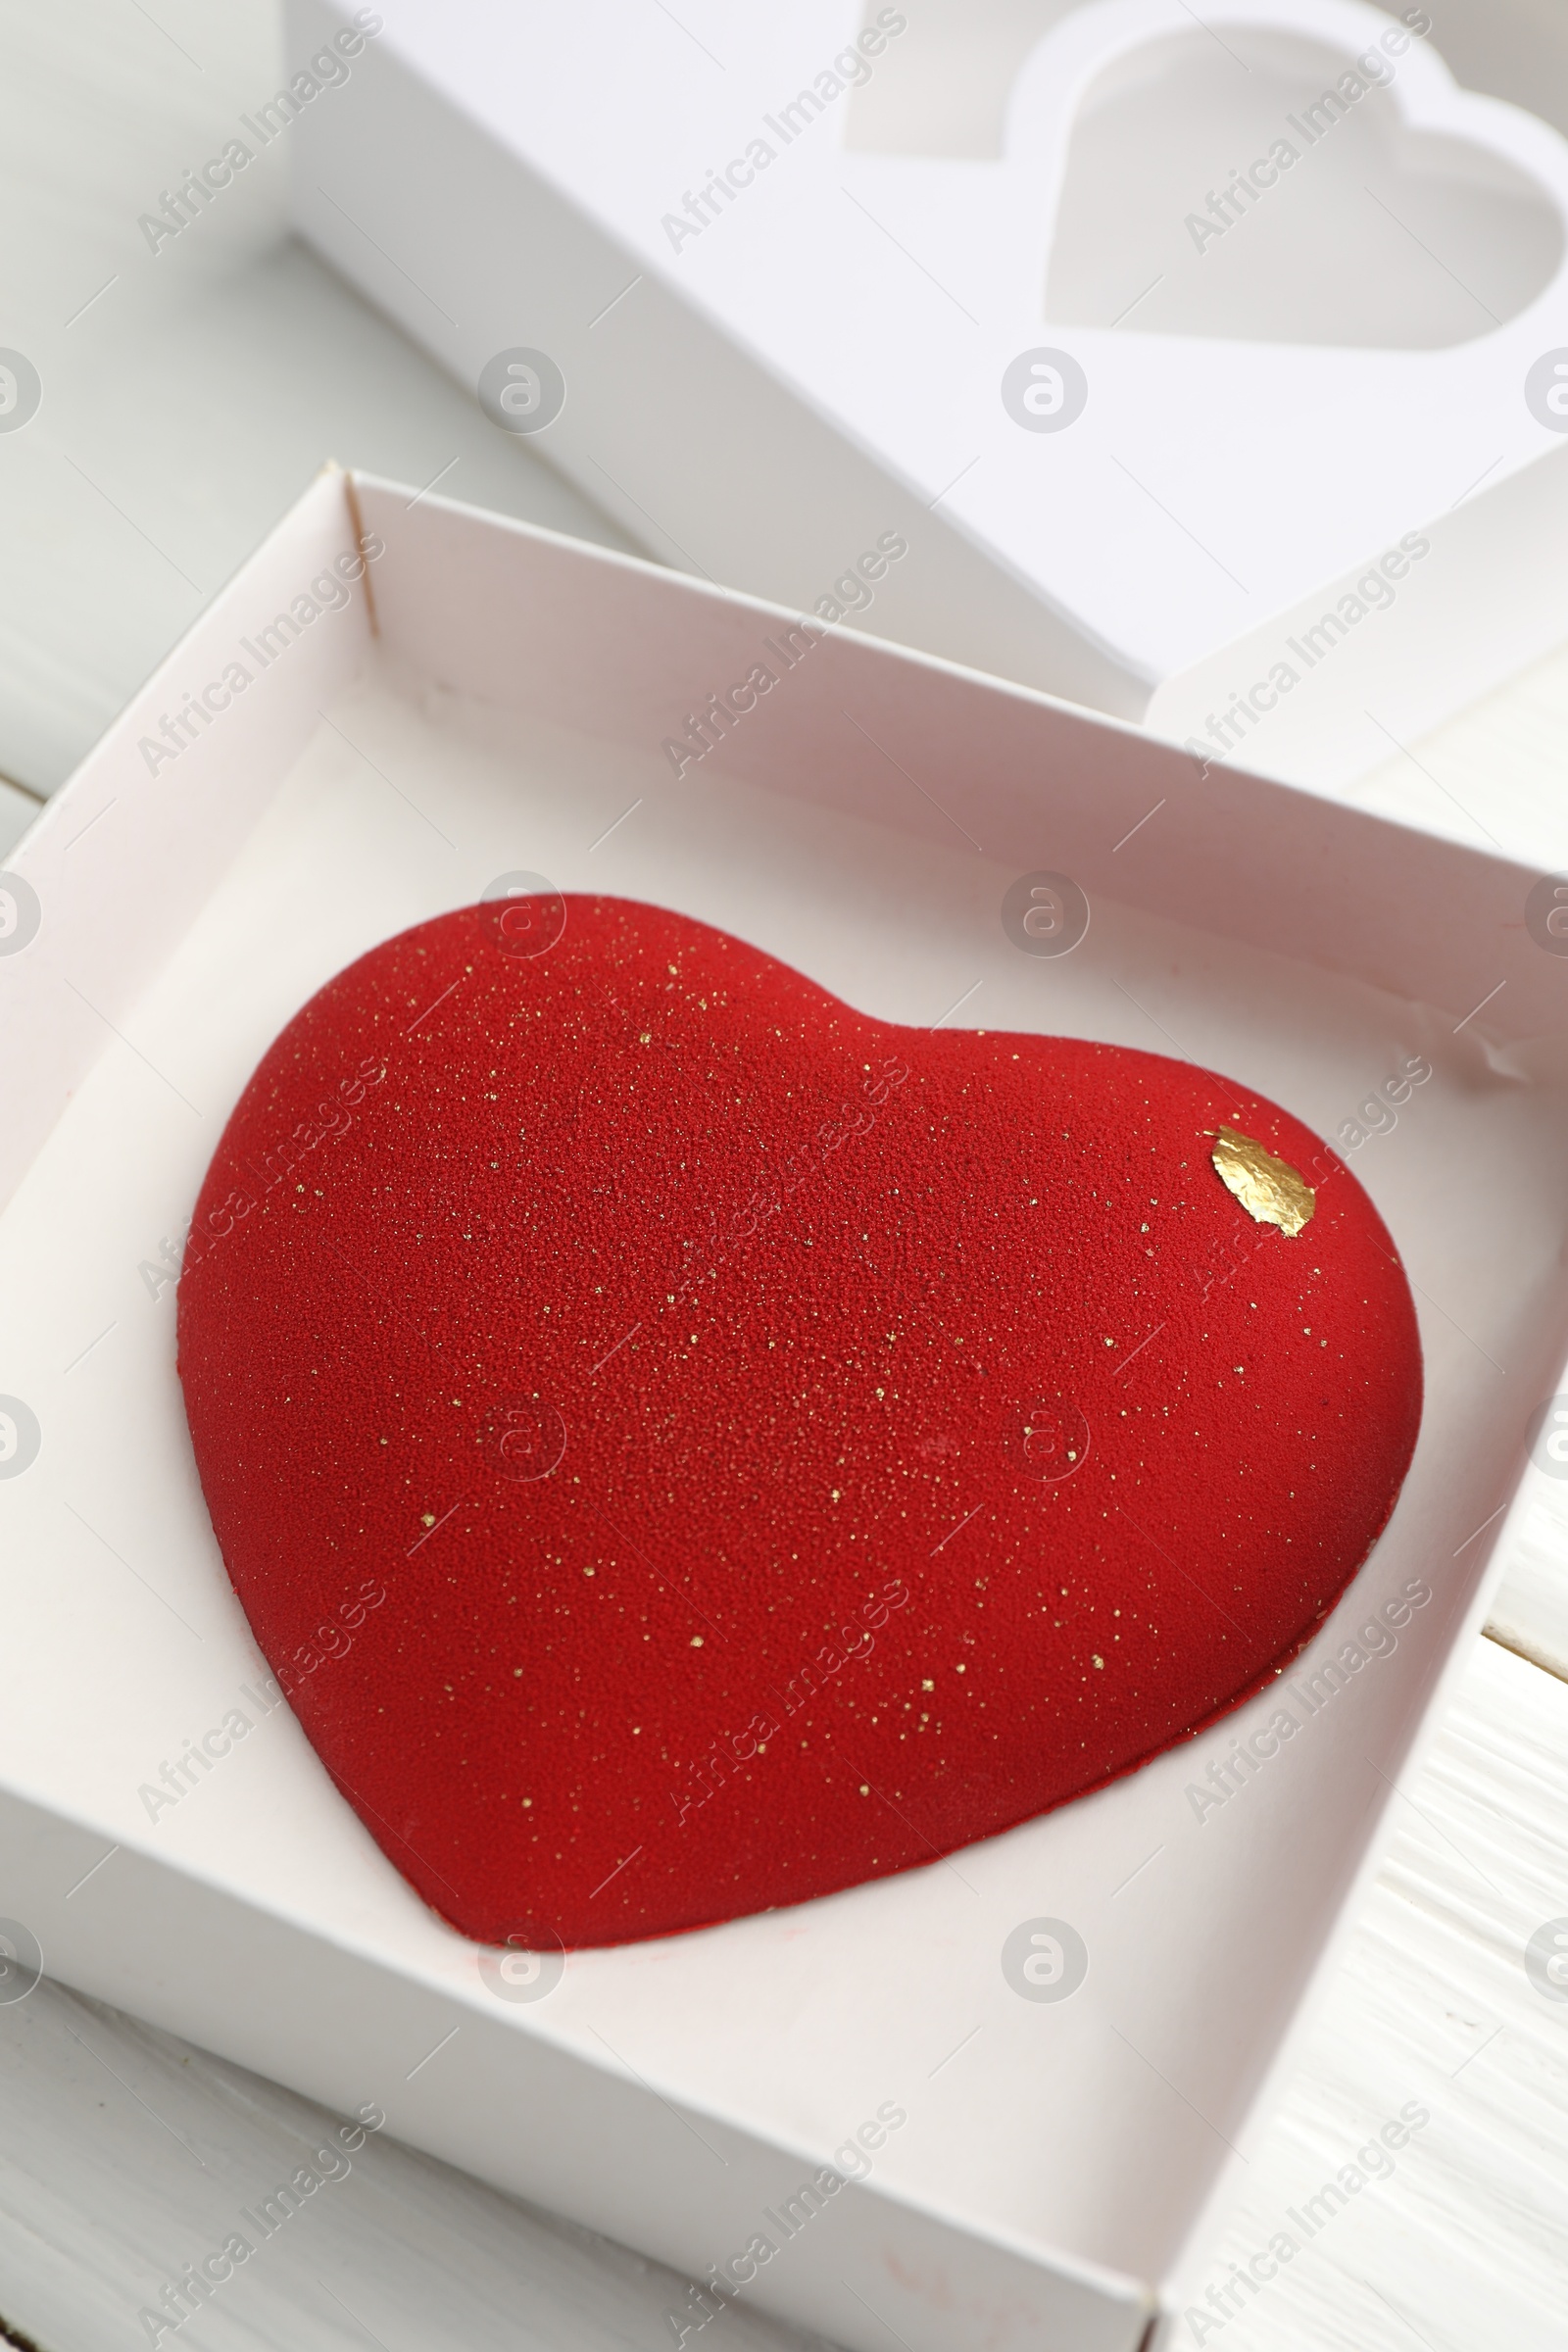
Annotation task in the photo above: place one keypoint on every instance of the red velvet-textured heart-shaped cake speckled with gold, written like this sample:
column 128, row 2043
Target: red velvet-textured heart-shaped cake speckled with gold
column 688, row 1448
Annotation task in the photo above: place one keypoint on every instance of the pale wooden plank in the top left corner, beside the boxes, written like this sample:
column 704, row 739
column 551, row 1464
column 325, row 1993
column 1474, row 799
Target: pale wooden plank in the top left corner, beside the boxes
column 194, row 392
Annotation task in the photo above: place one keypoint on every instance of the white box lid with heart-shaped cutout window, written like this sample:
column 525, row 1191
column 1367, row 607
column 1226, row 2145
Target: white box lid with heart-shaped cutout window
column 768, row 363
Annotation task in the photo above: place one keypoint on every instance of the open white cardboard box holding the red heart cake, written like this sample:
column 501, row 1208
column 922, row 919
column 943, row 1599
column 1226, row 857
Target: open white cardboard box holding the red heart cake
column 507, row 709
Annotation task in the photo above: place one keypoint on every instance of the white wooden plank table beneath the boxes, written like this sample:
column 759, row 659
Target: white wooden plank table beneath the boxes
column 187, row 401
